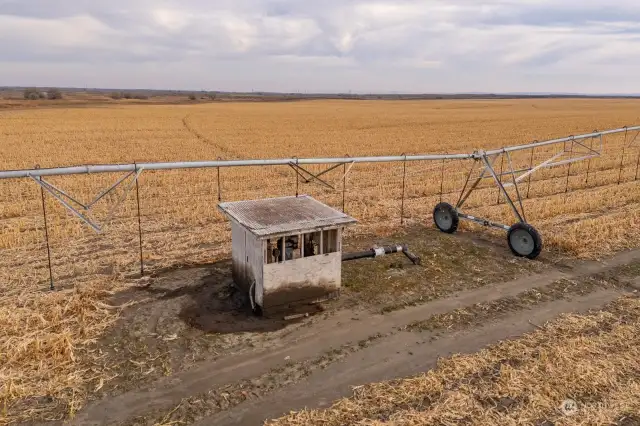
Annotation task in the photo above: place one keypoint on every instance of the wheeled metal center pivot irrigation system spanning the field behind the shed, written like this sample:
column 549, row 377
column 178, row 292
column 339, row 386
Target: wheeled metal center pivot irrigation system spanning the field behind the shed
column 524, row 240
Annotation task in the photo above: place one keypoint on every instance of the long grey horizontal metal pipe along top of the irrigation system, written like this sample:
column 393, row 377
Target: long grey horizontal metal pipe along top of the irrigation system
column 113, row 168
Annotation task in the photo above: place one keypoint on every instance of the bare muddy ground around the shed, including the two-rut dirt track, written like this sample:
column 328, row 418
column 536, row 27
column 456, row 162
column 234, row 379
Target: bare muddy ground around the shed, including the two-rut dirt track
column 190, row 351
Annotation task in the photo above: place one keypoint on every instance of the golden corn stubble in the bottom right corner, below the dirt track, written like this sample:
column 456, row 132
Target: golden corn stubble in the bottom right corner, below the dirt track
column 590, row 359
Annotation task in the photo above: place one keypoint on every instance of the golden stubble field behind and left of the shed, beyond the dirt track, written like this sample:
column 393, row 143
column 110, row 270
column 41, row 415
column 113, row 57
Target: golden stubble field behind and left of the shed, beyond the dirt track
column 43, row 335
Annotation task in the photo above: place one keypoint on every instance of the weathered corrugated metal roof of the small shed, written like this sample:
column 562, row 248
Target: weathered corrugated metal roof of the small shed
column 277, row 216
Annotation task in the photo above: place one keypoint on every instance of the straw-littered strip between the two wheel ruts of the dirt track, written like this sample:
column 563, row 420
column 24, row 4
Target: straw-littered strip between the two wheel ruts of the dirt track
column 479, row 314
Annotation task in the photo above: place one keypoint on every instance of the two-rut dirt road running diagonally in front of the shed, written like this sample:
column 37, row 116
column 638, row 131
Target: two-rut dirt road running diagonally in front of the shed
column 313, row 362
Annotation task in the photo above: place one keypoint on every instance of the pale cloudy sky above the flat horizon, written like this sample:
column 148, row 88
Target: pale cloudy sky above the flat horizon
column 586, row 46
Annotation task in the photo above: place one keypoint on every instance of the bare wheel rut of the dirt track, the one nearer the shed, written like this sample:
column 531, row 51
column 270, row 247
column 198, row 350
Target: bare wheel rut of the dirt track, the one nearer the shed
column 341, row 329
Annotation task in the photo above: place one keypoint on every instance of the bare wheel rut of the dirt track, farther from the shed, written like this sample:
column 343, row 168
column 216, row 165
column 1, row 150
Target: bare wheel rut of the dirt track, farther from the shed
column 403, row 354
